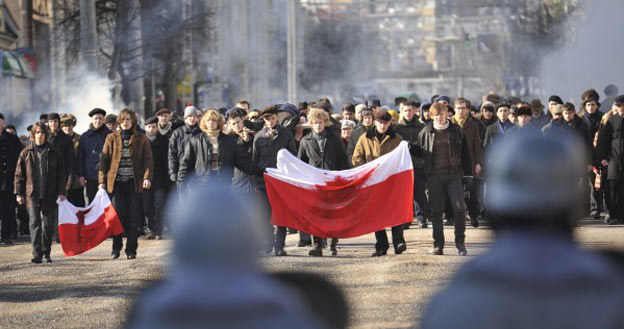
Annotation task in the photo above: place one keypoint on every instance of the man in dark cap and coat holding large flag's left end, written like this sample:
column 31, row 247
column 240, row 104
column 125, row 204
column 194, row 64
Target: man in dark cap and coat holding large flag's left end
column 267, row 143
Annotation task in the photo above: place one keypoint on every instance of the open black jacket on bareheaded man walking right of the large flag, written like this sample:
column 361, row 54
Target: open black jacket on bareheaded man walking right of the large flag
column 459, row 153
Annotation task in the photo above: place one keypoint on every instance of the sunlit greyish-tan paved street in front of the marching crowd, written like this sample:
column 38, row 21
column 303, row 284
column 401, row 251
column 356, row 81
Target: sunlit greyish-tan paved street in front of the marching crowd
column 91, row 291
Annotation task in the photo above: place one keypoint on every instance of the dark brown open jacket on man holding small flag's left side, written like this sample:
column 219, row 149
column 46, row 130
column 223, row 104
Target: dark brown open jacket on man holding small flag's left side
column 54, row 179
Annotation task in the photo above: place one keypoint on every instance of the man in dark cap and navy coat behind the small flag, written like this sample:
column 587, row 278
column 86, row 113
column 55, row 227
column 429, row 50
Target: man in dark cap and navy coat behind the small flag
column 90, row 146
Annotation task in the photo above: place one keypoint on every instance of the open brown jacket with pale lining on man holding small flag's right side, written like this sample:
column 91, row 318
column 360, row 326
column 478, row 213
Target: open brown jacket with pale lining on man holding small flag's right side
column 141, row 155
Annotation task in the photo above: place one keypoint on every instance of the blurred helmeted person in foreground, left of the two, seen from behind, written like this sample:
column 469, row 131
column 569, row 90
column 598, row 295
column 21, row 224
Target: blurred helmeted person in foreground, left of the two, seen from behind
column 214, row 279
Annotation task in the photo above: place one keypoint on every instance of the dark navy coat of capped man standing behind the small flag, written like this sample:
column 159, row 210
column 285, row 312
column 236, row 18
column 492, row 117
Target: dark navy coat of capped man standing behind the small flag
column 90, row 147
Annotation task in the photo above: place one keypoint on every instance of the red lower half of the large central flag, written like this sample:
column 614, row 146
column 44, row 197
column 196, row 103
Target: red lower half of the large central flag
column 342, row 213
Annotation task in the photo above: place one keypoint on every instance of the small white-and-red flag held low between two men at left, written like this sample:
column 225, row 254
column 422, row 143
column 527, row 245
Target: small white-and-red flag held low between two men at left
column 81, row 229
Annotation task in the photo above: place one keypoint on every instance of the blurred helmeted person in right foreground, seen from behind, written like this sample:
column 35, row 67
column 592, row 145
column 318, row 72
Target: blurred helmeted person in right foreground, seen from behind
column 535, row 275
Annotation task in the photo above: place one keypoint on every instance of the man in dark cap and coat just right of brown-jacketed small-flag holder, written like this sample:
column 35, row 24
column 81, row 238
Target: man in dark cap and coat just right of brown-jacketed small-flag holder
column 154, row 197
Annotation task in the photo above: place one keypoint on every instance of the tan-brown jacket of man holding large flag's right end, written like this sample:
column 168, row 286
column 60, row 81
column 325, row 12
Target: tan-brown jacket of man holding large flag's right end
column 368, row 147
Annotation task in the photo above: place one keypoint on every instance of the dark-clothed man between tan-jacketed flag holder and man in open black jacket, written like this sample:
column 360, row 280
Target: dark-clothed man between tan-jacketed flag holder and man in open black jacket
column 409, row 127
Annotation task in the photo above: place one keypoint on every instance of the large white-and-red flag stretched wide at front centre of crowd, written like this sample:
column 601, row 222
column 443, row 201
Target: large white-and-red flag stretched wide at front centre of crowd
column 342, row 204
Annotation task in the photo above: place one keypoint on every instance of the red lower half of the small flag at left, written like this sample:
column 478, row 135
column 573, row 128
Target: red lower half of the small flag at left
column 78, row 238
